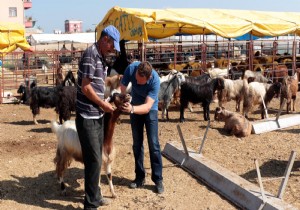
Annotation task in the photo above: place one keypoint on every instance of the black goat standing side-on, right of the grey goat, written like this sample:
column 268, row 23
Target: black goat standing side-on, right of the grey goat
column 199, row 94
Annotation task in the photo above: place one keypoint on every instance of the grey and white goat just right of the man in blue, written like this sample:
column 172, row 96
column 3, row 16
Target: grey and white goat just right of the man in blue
column 166, row 92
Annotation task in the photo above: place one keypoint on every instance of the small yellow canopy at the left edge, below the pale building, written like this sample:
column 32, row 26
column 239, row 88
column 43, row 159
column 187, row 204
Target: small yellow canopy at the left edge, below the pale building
column 11, row 37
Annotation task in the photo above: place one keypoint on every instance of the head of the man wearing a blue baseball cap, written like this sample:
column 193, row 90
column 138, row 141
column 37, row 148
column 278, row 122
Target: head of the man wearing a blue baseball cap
column 109, row 40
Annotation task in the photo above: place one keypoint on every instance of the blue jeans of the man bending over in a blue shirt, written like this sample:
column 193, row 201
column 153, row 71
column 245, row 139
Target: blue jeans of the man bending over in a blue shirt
column 150, row 121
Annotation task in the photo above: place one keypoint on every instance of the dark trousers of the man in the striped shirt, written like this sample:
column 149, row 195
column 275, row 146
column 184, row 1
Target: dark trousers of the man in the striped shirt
column 91, row 134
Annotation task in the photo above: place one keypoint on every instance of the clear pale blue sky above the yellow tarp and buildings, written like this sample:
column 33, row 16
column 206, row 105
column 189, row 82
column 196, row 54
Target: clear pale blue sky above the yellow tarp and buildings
column 51, row 15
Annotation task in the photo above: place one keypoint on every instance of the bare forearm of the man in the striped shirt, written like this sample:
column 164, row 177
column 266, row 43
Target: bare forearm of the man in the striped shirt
column 89, row 92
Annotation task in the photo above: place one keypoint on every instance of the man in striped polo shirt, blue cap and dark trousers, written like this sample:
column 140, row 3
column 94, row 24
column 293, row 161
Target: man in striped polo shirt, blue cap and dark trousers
column 90, row 108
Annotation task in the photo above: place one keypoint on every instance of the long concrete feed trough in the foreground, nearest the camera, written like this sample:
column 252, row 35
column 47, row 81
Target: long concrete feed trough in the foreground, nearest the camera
column 233, row 187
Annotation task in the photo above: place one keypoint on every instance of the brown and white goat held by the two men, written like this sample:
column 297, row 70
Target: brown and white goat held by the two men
column 69, row 148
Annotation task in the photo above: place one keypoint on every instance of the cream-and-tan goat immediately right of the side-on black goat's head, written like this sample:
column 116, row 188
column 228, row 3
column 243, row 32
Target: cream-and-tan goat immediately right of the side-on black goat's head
column 232, row 90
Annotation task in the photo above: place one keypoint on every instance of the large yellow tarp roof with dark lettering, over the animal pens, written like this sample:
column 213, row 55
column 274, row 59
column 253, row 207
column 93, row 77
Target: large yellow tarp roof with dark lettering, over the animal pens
column 141, row 24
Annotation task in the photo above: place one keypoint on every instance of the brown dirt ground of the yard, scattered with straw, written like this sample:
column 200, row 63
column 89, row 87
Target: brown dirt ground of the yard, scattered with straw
column 28, row 181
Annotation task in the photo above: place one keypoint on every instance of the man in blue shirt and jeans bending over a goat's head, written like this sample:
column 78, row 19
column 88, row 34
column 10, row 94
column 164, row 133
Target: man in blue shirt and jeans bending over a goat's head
column 144, row 113
